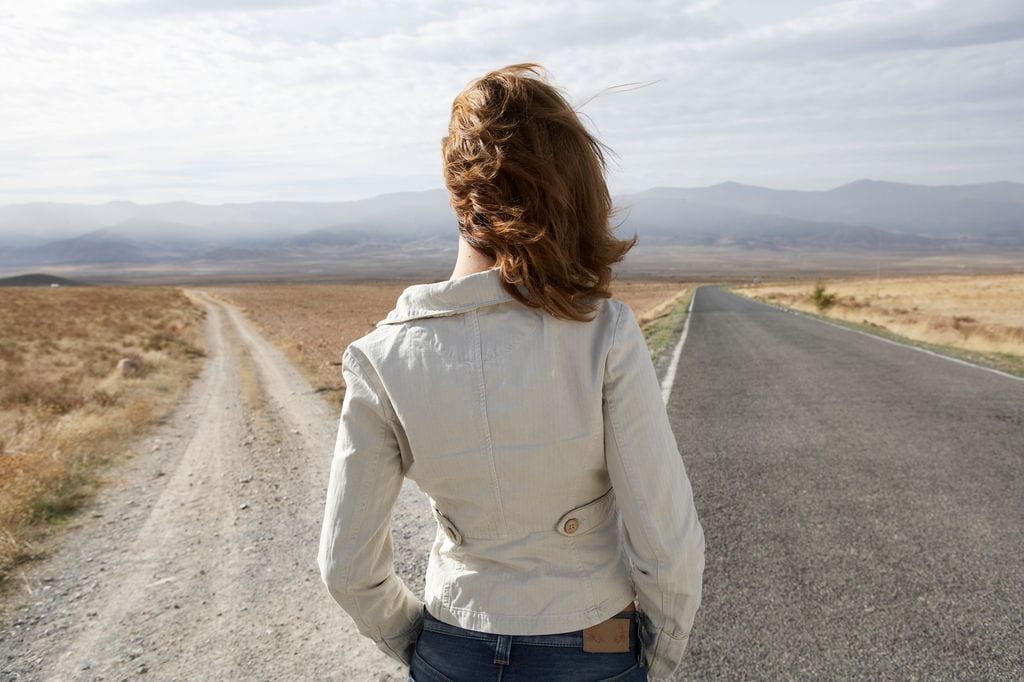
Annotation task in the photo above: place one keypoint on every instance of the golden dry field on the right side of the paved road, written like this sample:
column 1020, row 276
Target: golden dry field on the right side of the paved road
column 982, row 314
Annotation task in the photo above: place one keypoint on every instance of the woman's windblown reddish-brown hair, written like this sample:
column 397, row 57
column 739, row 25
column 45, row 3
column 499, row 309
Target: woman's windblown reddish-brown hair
column 527, row 183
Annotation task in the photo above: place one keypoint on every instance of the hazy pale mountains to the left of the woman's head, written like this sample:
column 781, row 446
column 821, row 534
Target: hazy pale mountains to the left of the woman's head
column 123, row 232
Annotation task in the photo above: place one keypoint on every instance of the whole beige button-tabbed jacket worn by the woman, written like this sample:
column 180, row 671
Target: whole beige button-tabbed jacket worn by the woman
column 546, row 451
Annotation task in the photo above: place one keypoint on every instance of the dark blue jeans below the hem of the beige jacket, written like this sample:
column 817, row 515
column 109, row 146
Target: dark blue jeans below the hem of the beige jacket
column 450, row 654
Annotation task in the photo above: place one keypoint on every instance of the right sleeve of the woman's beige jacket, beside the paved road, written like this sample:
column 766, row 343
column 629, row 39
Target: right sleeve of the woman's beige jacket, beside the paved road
column 661, row 533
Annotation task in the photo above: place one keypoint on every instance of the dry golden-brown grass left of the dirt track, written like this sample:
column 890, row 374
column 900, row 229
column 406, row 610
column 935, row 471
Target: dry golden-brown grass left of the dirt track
column 65, row 408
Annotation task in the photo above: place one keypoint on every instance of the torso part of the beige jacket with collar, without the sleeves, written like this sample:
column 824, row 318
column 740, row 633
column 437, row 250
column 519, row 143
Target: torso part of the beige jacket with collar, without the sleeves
column 500, row 415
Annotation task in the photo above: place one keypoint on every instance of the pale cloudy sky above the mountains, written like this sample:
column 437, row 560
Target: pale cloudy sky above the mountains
column 229, row 101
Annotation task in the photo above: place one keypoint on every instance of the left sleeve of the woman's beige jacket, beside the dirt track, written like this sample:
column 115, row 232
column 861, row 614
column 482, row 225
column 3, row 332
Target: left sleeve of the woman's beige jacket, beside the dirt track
column 356, row 559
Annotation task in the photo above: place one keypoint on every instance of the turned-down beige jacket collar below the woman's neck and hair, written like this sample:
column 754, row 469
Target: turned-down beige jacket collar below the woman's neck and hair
column 450, row 297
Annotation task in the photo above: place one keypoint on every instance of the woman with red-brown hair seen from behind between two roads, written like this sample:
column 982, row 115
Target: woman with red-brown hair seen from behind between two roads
column 523, row 401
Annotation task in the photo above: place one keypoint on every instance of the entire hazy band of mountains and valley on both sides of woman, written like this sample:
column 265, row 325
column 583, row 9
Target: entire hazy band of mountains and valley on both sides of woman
column 413, row 234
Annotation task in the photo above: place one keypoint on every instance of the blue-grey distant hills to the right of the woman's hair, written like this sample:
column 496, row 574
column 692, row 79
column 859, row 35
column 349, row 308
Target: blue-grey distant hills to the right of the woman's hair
column 914, row 217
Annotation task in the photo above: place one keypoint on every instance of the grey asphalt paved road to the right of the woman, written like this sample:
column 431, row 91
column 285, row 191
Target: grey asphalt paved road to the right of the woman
column 864, row 503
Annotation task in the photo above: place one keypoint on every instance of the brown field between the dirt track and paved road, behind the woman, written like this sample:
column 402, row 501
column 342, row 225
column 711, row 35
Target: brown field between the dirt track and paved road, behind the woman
column 314, row 323
